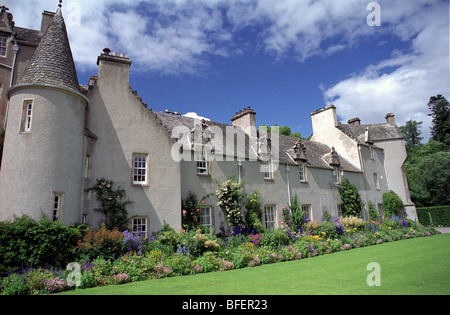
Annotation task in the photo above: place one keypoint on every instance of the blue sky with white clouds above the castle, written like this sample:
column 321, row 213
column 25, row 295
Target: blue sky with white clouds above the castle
column 284, row 58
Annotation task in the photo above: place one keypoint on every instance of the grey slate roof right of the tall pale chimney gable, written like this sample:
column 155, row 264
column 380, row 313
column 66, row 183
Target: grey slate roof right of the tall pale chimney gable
column 377, row 132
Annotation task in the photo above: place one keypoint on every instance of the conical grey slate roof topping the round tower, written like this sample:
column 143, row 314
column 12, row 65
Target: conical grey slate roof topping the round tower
column 52, row 62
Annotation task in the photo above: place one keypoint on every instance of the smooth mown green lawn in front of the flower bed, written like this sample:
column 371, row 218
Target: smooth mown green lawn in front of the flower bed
column 415, row 266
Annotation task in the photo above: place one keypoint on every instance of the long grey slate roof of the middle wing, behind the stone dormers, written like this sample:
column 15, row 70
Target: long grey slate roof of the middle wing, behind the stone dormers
column 314, row 152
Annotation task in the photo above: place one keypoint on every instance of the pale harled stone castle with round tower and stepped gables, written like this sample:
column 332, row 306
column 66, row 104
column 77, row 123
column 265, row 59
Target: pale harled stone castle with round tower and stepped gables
column 62, row 136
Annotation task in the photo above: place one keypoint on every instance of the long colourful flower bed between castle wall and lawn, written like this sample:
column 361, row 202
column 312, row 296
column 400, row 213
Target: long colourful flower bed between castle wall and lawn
column 170, row 253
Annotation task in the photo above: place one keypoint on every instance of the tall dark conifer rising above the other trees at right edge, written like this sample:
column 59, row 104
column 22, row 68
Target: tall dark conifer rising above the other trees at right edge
column 440, row 111
